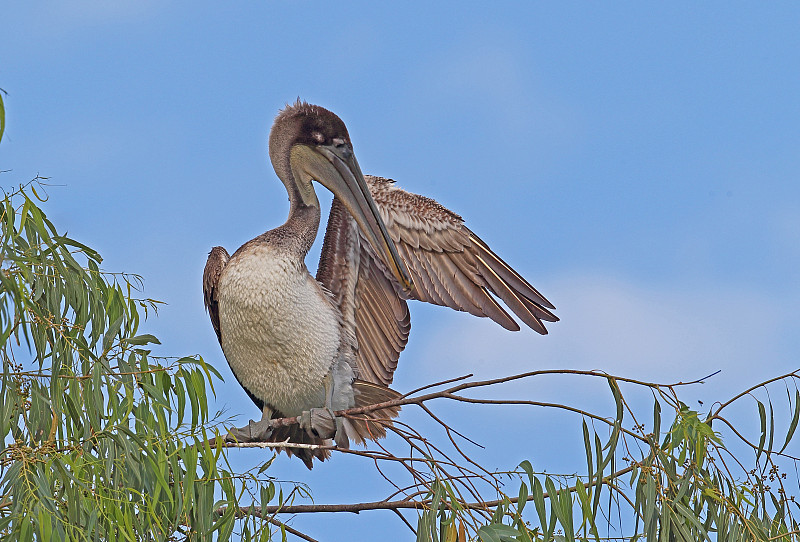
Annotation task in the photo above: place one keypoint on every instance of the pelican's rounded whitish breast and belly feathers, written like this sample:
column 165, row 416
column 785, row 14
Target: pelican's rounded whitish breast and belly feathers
column 279, row 330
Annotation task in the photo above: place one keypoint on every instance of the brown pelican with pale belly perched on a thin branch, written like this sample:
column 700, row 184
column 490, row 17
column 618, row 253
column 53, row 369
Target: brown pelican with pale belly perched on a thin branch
column 306, row 347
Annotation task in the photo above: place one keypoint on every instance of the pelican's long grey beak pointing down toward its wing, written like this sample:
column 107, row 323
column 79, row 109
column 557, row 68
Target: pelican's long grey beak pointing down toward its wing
column 347, row 183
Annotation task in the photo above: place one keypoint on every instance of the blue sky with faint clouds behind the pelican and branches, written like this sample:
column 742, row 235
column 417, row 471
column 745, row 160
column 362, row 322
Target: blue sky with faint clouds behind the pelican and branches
column 637, row 162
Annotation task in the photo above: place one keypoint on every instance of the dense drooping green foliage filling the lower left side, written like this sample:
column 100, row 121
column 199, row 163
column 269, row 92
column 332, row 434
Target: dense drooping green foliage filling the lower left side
column 100, row 440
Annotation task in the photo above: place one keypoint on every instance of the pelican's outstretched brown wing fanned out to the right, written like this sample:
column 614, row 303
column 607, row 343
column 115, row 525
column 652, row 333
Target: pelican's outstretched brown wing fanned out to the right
column 449, row 265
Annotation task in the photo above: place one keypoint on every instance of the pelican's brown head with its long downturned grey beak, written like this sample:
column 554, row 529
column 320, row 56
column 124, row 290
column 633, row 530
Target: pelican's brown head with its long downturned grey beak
column 309, row 143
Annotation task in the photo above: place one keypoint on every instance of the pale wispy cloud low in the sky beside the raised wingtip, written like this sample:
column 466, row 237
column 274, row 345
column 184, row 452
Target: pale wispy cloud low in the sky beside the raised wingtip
column 663, row 334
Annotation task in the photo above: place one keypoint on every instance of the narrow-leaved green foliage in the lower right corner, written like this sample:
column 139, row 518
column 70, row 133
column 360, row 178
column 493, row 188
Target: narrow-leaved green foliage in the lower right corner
column 678, row 484
